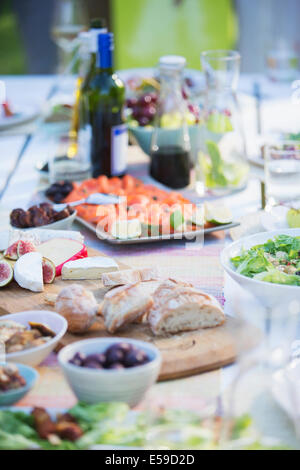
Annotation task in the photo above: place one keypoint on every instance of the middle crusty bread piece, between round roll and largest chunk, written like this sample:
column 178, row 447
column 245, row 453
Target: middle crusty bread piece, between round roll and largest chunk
column 124, row 304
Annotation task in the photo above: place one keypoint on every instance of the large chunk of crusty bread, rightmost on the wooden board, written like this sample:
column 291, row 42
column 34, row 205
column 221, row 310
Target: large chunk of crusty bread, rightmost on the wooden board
column 180, row 307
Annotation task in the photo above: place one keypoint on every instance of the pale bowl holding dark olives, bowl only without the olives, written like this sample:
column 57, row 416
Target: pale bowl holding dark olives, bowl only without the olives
column 94, row 386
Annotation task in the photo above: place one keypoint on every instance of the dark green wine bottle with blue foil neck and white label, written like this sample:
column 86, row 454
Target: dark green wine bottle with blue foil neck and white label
column 105, row 101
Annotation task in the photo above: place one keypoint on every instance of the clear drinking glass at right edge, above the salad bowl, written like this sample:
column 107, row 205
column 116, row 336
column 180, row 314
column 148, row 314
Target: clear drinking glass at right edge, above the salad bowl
column 282, row 171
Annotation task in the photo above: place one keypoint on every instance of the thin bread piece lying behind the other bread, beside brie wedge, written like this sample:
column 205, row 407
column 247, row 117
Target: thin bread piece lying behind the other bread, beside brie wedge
column 129, row 276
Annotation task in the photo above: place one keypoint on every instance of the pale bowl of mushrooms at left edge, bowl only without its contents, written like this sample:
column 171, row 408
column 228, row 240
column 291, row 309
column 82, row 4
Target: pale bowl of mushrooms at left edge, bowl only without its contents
column 36, row 355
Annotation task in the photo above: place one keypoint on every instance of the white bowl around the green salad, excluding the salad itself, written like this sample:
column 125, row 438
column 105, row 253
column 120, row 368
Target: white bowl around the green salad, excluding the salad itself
column 270, row 295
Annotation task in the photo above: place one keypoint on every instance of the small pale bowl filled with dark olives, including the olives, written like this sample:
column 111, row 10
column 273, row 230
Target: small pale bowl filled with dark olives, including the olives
column 110, row 369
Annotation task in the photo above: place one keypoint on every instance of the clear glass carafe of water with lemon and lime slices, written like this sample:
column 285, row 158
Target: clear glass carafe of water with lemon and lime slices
column 221, row 164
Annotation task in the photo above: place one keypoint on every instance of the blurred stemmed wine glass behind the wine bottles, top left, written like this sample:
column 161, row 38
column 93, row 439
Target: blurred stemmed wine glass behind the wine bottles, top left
column 69, row 19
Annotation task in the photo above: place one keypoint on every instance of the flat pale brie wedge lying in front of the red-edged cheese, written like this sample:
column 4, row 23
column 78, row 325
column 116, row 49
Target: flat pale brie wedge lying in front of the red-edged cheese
column 88, row 268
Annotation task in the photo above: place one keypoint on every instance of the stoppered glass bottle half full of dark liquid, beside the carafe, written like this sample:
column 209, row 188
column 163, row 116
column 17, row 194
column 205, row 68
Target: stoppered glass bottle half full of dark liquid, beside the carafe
column 170, row 147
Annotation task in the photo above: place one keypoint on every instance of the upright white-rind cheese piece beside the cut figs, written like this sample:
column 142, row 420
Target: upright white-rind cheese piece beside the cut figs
column 28, row 272
